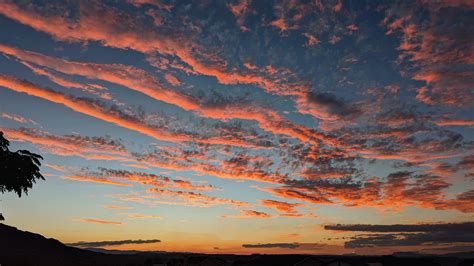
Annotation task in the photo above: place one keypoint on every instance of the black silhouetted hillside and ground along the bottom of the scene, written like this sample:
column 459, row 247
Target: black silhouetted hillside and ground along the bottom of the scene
column 25, row 248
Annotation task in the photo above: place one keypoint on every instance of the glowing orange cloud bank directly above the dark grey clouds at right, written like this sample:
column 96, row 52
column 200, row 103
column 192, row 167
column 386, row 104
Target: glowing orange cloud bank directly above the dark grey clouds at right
column 401, row 189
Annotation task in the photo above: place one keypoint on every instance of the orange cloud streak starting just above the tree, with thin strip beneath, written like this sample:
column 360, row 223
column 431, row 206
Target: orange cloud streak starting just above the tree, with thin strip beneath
column 107, row 149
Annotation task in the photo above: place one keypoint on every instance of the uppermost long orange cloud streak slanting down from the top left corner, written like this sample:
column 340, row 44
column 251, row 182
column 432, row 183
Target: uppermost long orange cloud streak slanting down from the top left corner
column 91, row 27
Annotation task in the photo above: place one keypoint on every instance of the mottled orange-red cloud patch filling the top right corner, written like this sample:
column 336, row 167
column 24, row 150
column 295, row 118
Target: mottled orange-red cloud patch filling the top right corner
column 435, row 52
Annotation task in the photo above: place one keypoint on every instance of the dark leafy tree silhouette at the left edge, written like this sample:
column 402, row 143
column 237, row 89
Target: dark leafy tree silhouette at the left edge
column 18, row 170
